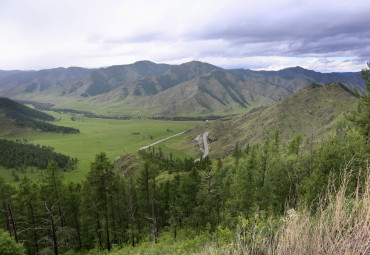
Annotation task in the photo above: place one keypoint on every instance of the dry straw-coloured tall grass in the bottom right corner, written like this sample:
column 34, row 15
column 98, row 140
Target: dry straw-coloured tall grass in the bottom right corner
column 340, row 226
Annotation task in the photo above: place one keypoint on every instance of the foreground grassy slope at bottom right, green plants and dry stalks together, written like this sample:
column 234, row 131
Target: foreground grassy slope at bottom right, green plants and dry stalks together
column 340, row 226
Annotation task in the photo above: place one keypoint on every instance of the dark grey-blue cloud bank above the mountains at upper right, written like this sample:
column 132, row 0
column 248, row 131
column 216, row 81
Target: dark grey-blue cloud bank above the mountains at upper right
column 326, row 34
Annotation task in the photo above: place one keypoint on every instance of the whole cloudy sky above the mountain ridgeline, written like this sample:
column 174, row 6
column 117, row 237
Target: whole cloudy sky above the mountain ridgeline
column 323, row 35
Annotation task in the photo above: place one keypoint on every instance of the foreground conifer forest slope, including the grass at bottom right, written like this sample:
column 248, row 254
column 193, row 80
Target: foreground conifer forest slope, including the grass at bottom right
column 234, row 205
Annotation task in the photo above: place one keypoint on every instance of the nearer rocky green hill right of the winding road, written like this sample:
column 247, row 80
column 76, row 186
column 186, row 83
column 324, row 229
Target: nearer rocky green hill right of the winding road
column 313, row 111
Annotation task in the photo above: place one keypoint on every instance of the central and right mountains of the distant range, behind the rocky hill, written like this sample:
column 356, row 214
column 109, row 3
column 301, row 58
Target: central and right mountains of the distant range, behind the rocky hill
column 212, row 90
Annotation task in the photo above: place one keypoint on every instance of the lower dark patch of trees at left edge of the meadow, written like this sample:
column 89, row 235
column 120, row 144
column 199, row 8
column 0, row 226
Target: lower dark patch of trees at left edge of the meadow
column 14, row 154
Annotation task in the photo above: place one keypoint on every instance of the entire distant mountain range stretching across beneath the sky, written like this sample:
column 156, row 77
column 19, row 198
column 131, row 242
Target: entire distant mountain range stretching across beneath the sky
column 145, row 88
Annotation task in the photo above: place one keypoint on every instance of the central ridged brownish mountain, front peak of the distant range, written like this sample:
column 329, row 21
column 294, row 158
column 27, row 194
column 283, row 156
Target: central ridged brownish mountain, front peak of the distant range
column 218, row 92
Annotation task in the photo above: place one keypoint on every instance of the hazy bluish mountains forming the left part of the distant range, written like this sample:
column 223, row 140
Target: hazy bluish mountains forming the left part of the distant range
column 74, row 81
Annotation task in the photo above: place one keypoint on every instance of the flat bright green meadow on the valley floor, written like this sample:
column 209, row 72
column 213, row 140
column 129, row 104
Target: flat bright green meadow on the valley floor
column 114, row 137
